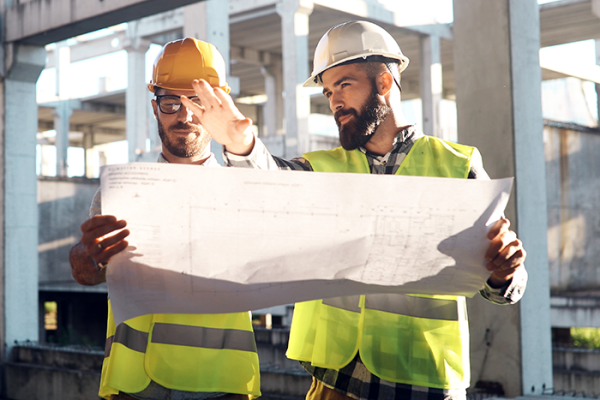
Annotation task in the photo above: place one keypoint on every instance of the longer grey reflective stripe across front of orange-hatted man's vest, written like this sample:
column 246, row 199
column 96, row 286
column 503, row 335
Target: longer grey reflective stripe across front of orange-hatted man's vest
column 198, row 336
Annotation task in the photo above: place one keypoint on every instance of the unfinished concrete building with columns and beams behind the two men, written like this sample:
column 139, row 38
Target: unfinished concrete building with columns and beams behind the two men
column 486, row 63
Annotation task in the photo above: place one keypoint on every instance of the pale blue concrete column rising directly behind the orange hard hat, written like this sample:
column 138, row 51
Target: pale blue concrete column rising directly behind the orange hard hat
column 209, row 21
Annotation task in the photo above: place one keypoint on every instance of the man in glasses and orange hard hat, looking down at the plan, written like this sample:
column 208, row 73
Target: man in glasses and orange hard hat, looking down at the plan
column 174, row 356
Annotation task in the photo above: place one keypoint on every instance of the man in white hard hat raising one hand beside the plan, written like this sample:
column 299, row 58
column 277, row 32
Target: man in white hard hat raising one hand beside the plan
column 375, row 346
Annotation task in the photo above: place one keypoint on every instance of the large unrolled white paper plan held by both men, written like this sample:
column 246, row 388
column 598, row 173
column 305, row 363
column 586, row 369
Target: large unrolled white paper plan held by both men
column 214, row 240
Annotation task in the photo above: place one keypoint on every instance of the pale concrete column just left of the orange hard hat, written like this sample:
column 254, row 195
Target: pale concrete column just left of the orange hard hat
column 136, row 106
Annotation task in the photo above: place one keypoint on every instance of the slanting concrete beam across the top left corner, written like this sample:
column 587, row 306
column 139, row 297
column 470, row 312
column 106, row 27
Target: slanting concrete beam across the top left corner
column 40, row 22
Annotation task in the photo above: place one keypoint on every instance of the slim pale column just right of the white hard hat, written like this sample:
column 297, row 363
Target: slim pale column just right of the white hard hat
column 431, row 84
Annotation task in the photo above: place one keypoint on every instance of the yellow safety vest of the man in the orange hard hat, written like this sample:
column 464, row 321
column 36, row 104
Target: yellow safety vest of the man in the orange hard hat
column 190, row 352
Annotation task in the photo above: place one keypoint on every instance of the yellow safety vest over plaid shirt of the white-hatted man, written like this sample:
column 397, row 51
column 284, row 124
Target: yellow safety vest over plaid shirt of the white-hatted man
column 413, row 339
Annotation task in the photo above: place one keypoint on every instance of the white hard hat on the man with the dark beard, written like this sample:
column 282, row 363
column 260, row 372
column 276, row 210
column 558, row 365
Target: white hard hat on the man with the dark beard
column 352, row 40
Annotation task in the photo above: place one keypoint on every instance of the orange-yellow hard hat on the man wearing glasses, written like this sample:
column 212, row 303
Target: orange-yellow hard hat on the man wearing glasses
column 181, row 61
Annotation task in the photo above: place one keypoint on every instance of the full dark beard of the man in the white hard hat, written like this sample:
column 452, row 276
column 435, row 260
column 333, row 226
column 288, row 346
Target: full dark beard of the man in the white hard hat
column 357, row 131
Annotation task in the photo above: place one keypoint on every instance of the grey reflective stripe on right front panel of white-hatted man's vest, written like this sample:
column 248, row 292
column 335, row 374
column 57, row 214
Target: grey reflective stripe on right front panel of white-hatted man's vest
column 421, row 307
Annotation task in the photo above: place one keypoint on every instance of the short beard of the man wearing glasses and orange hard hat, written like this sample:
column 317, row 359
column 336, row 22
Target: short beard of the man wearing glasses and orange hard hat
column 184, row 147
